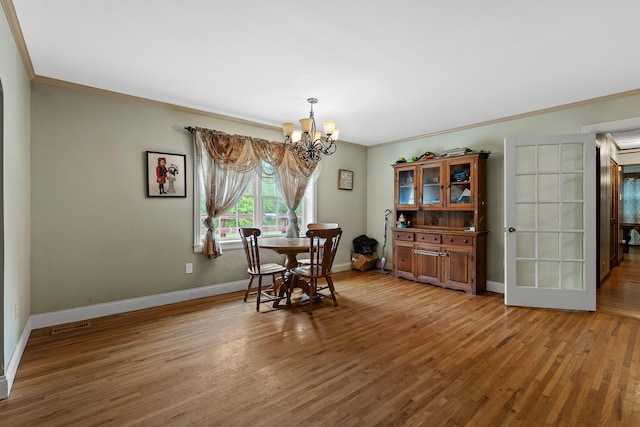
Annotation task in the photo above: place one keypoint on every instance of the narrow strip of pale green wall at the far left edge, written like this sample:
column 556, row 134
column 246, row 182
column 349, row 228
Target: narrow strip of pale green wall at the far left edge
column 15, row 194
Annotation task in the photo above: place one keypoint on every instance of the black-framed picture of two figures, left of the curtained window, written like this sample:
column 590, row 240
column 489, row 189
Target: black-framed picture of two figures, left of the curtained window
column 166, row 174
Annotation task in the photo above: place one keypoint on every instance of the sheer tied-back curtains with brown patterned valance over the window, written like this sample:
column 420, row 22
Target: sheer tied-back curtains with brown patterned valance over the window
column 228, row 164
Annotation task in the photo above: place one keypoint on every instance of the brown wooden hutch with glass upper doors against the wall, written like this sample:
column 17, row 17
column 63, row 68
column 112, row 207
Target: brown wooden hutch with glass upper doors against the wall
column 443, row 241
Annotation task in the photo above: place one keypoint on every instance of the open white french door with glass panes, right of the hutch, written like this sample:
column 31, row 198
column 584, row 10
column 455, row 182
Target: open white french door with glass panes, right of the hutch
column 550, row 221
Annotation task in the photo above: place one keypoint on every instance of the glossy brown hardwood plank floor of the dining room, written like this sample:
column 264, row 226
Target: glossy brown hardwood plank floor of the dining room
column 392, row 353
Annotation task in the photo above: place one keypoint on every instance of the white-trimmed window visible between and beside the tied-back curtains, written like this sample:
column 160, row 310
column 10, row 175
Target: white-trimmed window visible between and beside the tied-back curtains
column 260, row 207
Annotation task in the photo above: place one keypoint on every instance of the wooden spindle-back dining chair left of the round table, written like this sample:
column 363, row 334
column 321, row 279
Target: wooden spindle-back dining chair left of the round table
column 256, row 269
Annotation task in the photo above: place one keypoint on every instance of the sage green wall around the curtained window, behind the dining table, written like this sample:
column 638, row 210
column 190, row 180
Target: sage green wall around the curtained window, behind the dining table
column 97, row 238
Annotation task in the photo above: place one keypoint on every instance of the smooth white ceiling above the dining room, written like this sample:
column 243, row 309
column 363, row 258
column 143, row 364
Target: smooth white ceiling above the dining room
column 385, row 71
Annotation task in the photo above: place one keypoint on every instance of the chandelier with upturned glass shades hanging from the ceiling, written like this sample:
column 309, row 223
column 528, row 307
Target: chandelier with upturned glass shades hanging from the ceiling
column 308, row 144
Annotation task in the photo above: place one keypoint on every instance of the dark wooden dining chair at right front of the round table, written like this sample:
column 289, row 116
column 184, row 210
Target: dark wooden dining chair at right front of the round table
column 323, row 246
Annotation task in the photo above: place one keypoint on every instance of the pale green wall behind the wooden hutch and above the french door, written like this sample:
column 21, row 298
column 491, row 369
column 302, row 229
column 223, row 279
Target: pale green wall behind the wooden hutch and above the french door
column 488, row 137
